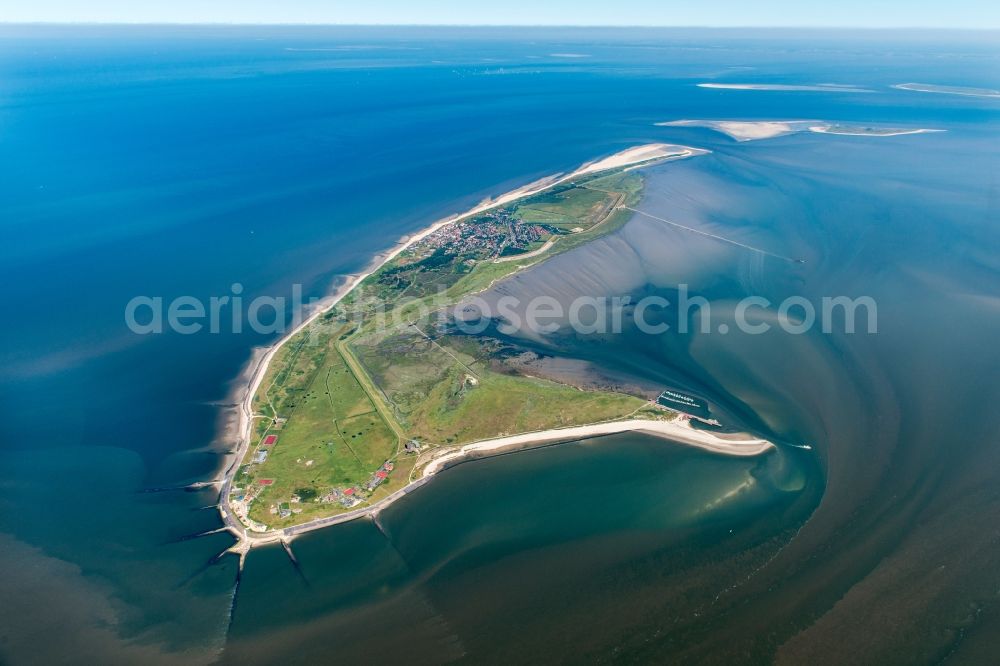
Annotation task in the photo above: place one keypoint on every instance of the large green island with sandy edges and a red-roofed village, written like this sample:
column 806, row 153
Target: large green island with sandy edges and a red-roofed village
column 372, row 396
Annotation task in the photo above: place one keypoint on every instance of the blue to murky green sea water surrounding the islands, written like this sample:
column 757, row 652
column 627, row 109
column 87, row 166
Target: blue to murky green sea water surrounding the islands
column 169, row 161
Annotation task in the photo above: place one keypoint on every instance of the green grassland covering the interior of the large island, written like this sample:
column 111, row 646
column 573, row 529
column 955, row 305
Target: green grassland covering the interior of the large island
column 345, row 394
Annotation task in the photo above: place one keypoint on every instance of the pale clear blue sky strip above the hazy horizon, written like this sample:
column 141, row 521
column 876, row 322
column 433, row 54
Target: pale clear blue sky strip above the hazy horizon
column 857, row 13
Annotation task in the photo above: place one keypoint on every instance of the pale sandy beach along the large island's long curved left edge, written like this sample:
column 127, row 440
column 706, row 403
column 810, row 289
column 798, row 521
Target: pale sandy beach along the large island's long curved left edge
column 249, row 380
